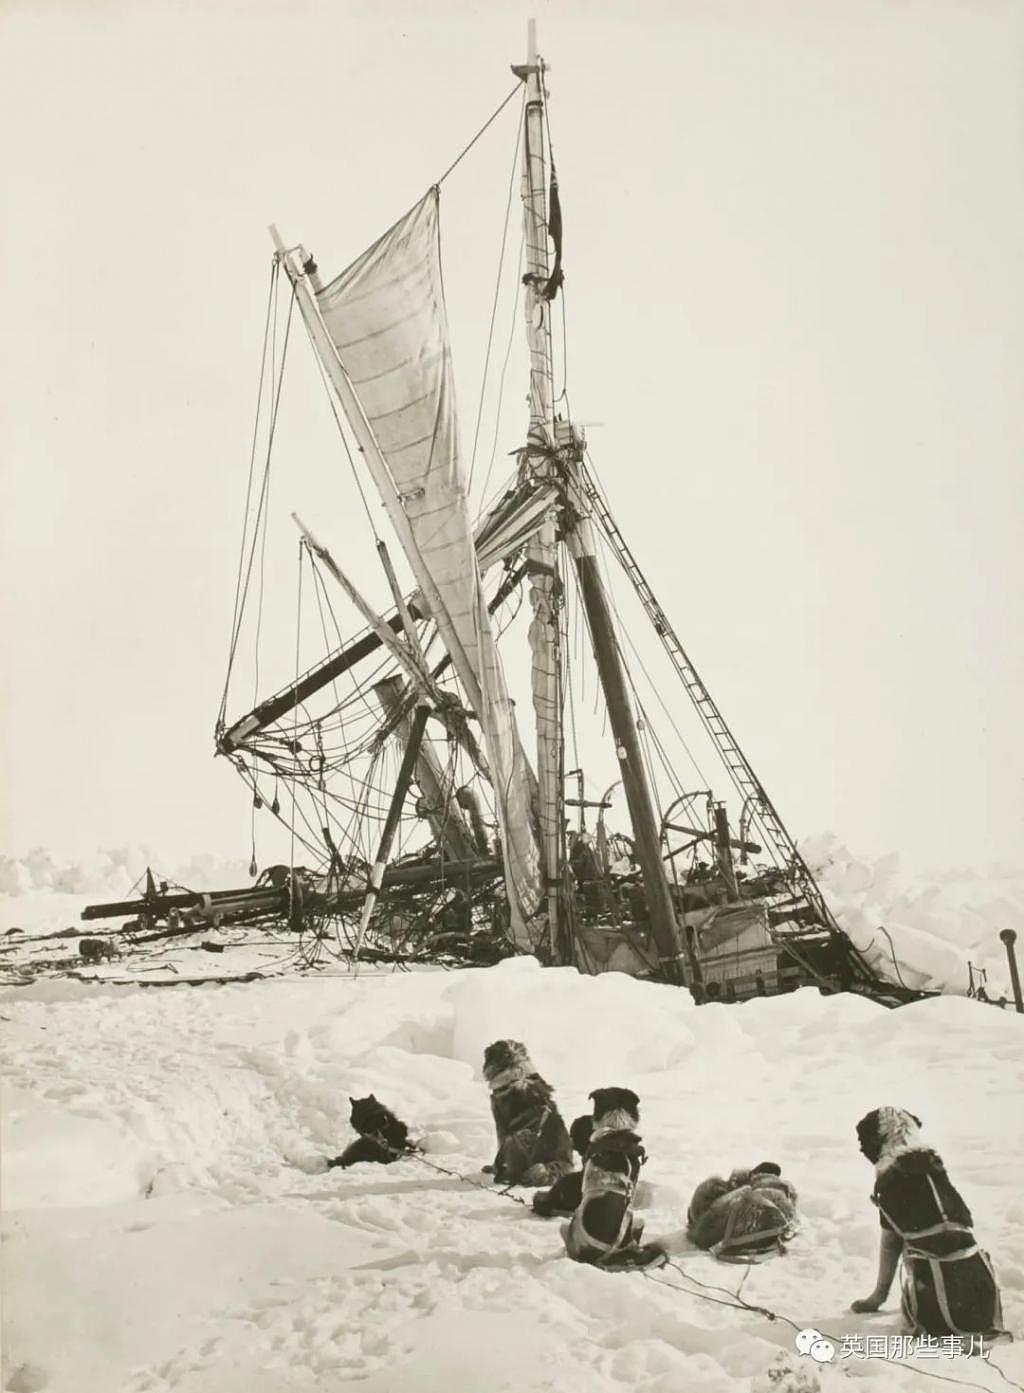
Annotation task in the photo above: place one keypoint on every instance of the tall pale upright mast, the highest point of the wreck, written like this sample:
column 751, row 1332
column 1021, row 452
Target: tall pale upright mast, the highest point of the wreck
column 543, row 548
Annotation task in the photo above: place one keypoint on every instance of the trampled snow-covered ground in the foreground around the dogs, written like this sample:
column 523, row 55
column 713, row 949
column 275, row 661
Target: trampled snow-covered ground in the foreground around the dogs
column 171, row 1225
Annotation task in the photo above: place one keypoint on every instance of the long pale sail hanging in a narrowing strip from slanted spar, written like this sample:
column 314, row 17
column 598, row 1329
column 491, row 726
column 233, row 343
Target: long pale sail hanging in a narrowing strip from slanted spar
column 387, row 320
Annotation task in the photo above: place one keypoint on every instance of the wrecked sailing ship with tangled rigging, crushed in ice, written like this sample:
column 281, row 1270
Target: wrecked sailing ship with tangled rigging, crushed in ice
column 430, row 817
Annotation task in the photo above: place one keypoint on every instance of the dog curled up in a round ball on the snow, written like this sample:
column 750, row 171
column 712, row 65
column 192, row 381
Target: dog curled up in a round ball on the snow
column 746, row 1217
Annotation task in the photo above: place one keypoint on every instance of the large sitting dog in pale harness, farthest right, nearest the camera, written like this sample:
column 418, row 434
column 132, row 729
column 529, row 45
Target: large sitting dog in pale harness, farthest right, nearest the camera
column 949, row 1286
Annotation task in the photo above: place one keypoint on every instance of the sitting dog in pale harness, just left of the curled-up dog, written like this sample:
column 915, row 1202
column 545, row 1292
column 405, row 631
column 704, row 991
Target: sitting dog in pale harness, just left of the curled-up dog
column 604, row 1231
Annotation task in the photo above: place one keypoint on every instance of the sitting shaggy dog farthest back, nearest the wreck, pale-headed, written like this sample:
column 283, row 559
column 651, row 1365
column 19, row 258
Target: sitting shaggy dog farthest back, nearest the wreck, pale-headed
column 533, row 1143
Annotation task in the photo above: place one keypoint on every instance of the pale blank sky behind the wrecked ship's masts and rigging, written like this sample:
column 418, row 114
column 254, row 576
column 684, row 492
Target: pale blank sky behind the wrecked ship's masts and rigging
column 795, row 304
